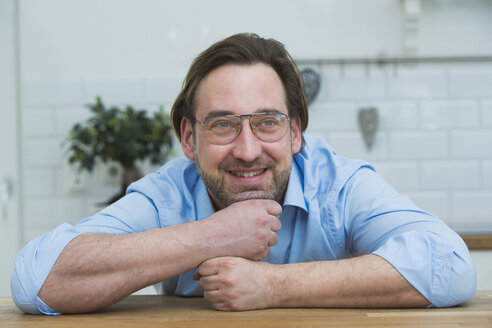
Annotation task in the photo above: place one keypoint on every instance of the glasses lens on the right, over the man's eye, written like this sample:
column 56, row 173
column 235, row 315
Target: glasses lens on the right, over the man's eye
column 270, row 127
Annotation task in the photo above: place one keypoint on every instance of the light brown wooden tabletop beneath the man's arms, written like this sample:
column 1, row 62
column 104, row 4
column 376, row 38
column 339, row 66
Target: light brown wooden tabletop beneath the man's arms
column 170, row 311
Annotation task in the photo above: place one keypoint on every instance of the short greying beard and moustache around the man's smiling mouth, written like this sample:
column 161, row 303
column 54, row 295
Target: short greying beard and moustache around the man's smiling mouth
column 217, row 189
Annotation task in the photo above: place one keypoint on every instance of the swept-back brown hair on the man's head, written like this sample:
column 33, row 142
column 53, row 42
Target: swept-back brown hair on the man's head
column 243, row 49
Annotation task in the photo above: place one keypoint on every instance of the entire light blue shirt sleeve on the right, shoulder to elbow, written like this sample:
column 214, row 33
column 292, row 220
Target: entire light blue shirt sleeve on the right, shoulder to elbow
column 430, row 255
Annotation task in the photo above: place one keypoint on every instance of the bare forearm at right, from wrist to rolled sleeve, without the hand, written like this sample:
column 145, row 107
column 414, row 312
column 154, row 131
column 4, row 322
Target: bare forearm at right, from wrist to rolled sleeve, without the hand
column 366, row 281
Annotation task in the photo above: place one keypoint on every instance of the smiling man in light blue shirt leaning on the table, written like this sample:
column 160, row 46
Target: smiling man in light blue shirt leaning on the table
column 255, row 217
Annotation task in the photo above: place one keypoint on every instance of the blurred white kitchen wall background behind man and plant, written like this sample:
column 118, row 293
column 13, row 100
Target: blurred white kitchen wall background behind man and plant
column 420, row 69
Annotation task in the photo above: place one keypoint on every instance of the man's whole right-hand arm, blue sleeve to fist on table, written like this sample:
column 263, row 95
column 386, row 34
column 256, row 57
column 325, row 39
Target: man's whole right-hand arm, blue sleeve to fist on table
column 408, row 253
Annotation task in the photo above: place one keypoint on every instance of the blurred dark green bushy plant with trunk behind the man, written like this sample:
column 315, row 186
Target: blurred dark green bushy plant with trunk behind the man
column 120, row 136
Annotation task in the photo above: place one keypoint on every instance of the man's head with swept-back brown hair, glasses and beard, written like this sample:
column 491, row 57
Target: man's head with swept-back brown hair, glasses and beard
column 242, row 75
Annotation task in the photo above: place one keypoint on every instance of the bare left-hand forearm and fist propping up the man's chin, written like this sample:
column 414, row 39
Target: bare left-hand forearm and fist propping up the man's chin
column 96, row 270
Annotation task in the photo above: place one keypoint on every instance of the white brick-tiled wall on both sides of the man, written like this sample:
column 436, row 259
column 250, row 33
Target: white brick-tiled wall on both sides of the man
column 434, row 141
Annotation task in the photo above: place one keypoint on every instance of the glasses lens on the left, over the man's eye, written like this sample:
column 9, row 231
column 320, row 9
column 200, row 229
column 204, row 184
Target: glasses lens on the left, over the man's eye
column 222, row 130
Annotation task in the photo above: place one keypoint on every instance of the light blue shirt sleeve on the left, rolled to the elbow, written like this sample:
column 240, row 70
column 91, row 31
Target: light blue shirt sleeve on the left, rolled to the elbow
column 131, row 214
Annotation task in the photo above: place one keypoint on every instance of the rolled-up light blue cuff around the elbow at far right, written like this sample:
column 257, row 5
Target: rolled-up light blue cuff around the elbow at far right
column 439, row 268
